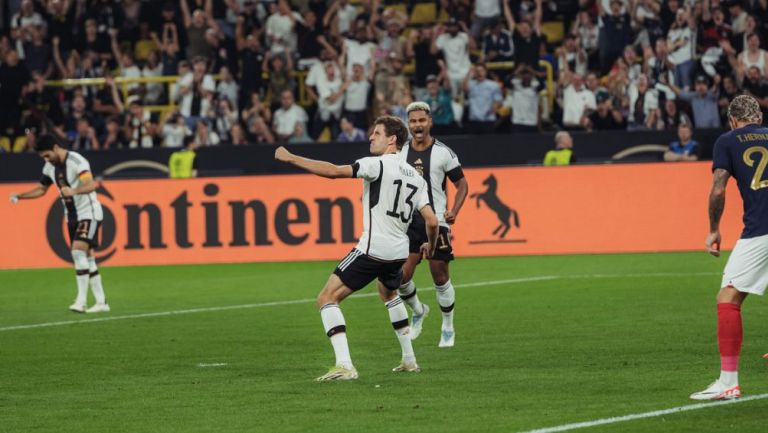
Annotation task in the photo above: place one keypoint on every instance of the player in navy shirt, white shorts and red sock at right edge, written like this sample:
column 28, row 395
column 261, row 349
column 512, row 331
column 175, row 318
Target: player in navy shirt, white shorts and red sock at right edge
column 741, row 153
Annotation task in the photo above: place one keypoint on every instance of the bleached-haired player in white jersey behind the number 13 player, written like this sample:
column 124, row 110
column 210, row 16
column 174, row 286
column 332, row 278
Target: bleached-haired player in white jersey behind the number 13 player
column 436, row 163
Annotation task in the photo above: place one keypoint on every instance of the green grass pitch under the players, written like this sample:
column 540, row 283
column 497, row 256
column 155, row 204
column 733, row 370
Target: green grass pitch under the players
column 585, row 338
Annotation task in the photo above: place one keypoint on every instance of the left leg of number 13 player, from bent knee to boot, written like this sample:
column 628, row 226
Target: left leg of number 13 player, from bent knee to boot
column 335, row 327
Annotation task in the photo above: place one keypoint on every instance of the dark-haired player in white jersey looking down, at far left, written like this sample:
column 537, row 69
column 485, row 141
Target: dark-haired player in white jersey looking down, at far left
column 71, row 173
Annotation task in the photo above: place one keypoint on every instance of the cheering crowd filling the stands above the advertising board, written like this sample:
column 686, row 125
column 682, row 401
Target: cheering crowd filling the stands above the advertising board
column 249, row 71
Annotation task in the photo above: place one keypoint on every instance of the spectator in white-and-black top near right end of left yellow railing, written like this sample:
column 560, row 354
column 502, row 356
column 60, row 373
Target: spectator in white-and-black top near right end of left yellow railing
column 196, row 91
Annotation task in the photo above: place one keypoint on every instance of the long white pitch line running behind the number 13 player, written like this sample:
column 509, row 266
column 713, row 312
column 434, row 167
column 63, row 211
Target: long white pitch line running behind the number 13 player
column 306, row 301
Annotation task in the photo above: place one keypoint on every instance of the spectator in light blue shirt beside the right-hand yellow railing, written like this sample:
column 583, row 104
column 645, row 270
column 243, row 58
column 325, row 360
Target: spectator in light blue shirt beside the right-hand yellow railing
column 484, row 99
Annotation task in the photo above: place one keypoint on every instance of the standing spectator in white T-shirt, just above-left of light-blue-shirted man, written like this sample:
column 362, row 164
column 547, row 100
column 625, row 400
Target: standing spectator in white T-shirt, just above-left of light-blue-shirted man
column 455, row 46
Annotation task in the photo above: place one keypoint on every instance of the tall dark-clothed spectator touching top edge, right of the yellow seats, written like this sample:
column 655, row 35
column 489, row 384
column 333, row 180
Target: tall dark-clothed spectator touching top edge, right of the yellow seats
column 615, row 33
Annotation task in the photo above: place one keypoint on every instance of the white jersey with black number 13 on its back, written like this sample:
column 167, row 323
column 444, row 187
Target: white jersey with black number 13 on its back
column 392, row 192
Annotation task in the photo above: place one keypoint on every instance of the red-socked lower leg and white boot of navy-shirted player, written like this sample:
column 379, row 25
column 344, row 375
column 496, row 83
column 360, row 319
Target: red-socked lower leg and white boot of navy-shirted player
column 729, row 338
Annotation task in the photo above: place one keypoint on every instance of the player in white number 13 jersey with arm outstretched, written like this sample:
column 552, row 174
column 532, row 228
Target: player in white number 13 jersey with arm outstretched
column 392, row 192
